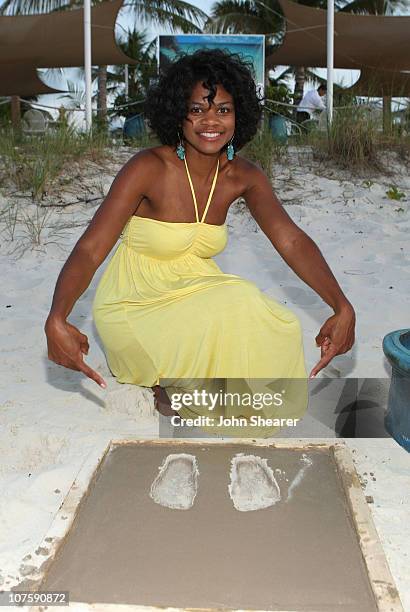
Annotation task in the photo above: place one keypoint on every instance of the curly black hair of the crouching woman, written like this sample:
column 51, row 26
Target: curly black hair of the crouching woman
column 167, row 100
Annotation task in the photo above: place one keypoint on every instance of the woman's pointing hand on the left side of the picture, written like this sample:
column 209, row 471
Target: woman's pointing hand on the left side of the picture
column 66, row 346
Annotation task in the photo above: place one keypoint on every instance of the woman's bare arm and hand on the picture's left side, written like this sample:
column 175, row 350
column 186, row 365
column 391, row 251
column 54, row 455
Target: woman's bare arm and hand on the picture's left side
column 66, row 344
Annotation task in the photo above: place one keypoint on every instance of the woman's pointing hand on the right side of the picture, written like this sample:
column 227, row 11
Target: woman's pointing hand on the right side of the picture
column 336, row 336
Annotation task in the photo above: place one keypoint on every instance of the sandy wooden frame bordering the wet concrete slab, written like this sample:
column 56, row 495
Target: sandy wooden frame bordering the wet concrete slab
column 381, row 580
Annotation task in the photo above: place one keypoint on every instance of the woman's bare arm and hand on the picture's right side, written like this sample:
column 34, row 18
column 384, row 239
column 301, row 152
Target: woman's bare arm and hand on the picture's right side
column 304, row 257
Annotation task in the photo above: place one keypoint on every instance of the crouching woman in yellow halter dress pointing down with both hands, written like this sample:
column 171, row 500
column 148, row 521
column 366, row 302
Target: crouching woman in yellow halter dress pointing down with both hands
column 163, row 308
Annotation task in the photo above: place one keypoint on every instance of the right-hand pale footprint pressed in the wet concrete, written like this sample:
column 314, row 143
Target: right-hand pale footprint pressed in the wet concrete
column 253, row 485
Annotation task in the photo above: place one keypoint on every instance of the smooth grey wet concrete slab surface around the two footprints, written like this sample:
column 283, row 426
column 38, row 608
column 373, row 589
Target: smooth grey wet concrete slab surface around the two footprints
column 300, row 554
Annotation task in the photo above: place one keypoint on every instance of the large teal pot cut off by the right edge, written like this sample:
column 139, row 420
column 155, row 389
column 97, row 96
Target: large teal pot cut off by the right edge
column 396, row 347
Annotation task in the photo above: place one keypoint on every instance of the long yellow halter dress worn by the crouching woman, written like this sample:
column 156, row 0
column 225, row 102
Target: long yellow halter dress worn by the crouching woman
column 166, row 312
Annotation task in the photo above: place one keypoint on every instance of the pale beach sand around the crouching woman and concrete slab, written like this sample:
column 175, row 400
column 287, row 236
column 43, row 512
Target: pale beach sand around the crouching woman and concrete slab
column 51, row 418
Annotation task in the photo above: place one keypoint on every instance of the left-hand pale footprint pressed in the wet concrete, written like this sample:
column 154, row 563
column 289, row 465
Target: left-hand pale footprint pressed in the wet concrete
column 177, row 482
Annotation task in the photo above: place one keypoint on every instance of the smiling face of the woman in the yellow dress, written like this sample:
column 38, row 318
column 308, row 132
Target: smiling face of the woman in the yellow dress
column 208, row 127
